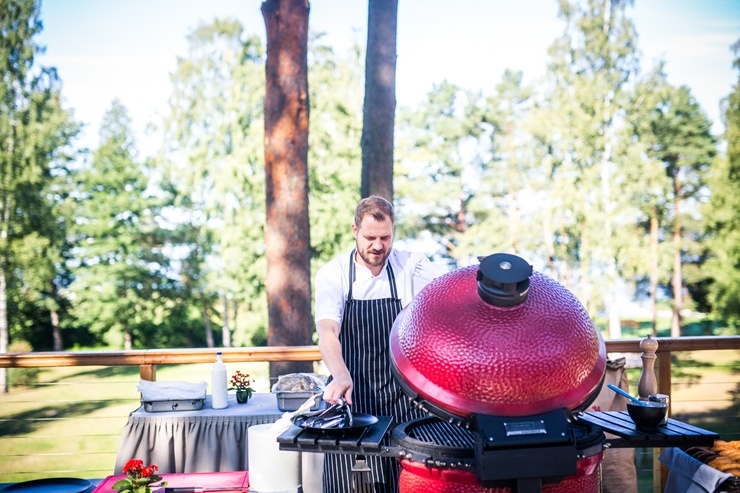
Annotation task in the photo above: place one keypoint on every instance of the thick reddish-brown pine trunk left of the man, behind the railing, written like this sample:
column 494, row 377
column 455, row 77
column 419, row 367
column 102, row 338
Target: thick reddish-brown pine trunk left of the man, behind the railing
column 287, row 239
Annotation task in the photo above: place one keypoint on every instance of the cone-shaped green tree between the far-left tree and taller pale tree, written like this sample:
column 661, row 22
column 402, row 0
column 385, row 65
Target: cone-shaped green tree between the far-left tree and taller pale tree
column 121, row 281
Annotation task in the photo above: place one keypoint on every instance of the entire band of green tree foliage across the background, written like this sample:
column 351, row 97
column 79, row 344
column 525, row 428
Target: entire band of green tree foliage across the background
column 569, row 172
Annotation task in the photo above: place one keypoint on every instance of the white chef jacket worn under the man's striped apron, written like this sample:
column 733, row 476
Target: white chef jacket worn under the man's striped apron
column 412, row 271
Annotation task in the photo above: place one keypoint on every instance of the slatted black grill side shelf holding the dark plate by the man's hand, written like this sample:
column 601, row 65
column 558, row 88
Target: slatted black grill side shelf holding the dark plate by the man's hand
column 355, row 440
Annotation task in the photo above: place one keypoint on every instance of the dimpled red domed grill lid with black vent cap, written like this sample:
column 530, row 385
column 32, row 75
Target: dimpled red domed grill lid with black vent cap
column 498, row 339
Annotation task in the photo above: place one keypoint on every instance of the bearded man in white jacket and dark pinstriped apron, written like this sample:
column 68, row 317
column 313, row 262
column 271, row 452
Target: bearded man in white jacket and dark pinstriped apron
column 358, row 296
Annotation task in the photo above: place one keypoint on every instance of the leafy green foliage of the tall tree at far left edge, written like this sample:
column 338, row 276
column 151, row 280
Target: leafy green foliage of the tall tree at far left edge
column 35, row 138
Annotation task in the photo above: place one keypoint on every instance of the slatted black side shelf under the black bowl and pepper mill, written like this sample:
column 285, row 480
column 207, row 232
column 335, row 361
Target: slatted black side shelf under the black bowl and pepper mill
column 673, row 434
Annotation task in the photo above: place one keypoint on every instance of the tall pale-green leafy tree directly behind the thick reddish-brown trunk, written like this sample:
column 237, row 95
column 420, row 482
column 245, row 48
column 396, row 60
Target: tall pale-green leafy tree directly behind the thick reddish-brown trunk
column 213, row 167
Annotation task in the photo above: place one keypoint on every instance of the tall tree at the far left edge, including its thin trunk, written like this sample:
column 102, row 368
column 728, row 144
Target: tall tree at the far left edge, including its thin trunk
column 32, row 126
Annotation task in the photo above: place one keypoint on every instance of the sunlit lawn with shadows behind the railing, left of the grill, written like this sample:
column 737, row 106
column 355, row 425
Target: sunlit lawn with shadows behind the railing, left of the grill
column 70, row 423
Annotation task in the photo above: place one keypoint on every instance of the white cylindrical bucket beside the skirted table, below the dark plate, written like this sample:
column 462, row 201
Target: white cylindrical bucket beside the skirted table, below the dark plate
column 271, row 470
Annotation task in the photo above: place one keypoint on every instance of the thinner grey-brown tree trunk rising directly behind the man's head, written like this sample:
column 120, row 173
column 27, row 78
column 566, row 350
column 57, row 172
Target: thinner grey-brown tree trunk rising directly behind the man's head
column 379, row 107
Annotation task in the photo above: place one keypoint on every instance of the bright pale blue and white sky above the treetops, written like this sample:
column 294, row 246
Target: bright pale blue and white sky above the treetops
column 105, row 49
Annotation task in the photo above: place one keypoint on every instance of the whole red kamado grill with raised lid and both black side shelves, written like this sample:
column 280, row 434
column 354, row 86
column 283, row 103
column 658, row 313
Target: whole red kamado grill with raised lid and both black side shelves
column 505, row 360
